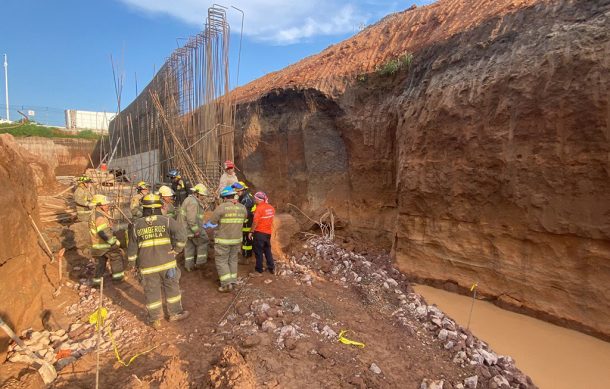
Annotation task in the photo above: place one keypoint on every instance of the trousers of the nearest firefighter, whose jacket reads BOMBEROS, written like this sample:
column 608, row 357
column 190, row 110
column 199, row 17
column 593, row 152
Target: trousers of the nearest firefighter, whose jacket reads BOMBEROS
column 156, row 286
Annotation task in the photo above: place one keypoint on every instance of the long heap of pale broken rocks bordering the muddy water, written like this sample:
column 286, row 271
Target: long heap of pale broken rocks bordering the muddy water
column 383, row 285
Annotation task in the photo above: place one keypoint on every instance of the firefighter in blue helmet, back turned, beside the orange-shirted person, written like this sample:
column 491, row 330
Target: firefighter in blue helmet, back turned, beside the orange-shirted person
column 230, row 216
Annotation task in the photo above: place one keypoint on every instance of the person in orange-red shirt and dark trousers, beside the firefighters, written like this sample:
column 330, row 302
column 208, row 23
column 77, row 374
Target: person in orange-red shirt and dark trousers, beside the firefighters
column 262, row 227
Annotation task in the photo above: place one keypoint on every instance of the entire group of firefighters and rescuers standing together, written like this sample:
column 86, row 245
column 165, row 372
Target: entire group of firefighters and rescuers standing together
column 172, row 220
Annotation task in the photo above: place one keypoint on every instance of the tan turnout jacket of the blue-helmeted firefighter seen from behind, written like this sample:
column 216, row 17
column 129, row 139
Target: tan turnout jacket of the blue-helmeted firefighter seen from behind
column 230, row 219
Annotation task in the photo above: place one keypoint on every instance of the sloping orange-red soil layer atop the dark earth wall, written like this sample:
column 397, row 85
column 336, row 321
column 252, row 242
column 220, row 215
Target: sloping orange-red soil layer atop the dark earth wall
column 396, row 34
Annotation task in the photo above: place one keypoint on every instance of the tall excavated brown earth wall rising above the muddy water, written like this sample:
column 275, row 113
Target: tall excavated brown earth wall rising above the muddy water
column 485, row 160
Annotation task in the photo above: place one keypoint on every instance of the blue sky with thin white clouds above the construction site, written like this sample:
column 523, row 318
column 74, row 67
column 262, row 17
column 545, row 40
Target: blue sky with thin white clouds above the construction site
column 59, row 51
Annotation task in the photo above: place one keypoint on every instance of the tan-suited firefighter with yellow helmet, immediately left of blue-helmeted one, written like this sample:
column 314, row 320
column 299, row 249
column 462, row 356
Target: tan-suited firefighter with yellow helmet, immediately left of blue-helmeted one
column 191, row 217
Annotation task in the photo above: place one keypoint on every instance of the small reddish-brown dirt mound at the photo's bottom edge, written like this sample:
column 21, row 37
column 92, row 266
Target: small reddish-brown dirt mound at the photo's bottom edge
column 232, row 372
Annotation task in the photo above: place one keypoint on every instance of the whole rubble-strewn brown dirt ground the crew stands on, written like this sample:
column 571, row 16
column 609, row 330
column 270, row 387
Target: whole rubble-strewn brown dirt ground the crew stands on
column 276, row 331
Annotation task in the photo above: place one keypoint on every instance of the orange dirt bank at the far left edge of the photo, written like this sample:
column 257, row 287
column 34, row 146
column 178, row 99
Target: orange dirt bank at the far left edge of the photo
column 22, row 277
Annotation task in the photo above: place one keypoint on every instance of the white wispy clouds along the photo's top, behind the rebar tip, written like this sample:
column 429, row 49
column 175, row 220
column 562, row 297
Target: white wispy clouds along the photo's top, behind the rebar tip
column 276, row 21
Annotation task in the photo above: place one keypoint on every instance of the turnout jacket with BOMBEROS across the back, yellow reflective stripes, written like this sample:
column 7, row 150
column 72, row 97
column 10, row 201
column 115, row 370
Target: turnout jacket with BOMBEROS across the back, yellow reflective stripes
column 154, row 241
